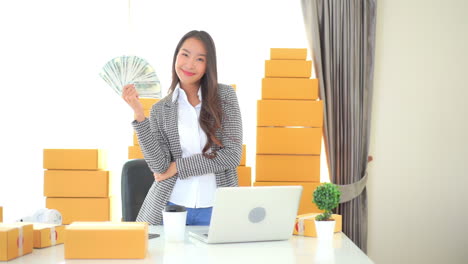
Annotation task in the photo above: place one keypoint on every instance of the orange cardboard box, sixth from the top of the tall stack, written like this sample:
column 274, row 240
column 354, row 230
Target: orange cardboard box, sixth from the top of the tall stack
column 288, row 168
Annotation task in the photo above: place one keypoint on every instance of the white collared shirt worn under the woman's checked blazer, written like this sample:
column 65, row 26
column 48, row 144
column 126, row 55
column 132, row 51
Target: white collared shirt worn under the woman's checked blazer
column 196, row 191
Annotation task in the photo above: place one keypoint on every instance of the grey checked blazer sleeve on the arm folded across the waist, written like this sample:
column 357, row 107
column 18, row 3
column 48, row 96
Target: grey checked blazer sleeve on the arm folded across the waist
column 227, row 157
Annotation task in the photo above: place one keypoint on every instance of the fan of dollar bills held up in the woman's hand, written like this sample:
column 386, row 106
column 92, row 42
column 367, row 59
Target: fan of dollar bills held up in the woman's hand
column 124, row 70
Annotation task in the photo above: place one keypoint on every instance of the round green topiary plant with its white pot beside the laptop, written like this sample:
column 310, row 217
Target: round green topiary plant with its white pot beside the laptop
column 326, row 197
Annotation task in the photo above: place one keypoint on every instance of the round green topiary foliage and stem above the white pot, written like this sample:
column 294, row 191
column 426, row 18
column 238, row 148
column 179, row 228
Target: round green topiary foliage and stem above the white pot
column 326, row 197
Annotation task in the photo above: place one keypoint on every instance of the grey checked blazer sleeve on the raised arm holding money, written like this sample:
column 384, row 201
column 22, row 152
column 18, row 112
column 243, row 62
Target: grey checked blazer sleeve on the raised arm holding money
column 151, row 140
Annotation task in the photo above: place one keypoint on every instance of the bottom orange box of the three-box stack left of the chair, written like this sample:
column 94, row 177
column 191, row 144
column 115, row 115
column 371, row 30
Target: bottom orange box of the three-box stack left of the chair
column 81, row 209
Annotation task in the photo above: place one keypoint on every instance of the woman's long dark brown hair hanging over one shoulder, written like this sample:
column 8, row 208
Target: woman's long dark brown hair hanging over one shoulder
column 210, row 113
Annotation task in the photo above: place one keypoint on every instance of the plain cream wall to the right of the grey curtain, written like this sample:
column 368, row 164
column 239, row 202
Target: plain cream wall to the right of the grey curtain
column 417, row 187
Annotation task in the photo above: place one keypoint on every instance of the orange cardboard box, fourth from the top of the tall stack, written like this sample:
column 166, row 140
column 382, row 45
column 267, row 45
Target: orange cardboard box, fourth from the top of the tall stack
column 289, row 113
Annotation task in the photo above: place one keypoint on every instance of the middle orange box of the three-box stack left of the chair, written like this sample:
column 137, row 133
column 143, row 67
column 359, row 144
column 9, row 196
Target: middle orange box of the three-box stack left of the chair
column 76, row 183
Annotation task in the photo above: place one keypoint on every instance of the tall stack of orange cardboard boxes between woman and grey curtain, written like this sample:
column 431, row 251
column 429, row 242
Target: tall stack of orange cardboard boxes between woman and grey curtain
column 289, row 125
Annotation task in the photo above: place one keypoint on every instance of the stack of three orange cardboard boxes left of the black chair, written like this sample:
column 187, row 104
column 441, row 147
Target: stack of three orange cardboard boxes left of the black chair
column 76, row 184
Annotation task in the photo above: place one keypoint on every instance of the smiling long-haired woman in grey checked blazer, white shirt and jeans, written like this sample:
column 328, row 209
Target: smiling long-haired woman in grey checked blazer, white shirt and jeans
column 193, row 139
